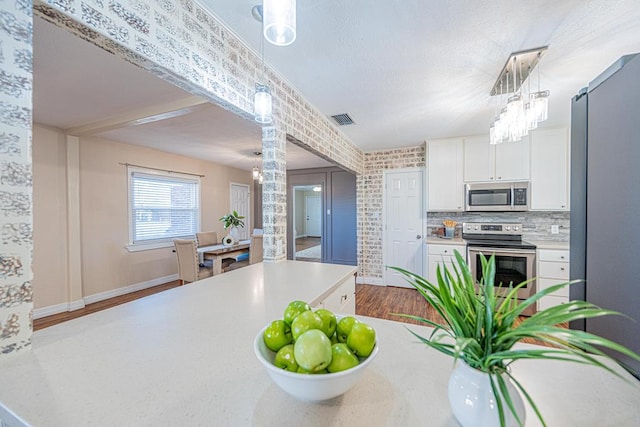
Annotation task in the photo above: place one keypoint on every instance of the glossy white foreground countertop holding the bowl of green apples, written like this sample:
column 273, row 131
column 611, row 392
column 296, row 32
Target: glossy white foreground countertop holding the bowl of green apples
column 185, row 357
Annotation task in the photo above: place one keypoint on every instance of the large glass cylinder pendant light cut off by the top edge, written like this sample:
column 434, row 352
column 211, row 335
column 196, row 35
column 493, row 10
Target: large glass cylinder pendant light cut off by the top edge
column 279, row 21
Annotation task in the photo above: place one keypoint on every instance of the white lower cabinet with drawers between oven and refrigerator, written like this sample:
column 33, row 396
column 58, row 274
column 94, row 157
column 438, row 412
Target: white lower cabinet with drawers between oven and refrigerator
column 553, row 268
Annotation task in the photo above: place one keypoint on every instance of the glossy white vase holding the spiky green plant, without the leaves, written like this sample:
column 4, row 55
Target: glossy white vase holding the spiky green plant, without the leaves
column 472, row 400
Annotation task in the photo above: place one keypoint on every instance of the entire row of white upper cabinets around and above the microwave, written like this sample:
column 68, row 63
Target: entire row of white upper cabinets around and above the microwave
column 542, row 158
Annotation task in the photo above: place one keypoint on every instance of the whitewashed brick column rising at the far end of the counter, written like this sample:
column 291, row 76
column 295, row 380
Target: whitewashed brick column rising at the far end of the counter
column 274, row 194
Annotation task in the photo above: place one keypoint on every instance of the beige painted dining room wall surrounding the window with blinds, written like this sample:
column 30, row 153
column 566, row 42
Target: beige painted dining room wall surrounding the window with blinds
column 106, row 264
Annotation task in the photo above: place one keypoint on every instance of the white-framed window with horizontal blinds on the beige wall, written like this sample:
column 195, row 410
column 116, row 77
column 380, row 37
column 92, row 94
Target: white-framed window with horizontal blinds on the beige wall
column 163, row 206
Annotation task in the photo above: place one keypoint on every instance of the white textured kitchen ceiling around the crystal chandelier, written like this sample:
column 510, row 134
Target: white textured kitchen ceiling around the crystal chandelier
column 410, row 70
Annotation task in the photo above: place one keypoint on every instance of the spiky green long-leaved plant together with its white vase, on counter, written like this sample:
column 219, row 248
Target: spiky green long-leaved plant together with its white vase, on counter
column 480, row 329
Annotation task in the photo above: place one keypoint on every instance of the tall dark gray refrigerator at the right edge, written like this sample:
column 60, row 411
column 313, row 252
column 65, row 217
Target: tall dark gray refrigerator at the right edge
column 605, row 202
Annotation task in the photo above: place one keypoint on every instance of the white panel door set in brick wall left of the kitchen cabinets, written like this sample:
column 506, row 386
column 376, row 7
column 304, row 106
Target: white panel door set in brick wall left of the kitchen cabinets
column 404, row 219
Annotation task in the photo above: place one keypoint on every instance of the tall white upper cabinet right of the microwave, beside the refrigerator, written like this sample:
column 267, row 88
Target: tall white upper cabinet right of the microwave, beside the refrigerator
column 550, row 169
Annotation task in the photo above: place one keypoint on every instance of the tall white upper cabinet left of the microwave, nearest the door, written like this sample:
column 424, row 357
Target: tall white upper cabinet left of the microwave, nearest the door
column 445, row 169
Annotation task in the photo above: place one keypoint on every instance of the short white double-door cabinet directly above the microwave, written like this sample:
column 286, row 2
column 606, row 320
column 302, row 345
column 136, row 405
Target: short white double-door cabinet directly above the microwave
column 484, row 162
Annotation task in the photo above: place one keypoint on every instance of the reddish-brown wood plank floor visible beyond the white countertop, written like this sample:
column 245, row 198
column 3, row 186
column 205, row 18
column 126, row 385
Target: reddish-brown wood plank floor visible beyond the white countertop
column 371, row 300
